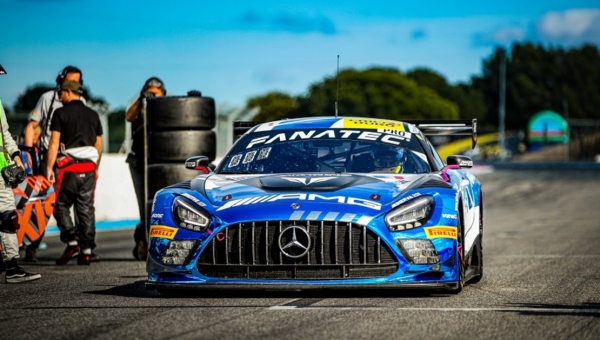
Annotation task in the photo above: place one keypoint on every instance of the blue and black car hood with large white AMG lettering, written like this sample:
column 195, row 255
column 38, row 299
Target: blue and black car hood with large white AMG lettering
column 369, row 192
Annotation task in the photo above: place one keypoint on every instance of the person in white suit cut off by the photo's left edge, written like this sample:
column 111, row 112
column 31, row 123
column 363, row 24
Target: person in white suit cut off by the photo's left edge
column 8, row 218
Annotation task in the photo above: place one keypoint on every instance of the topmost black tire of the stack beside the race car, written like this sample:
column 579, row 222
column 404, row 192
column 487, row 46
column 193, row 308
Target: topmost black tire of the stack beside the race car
column 180, row 112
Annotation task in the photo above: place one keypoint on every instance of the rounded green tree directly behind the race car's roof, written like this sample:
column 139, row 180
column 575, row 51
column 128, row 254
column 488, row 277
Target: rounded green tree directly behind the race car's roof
column 378, row 93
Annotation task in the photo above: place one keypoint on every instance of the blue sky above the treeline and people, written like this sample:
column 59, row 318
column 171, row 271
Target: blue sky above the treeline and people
column 233, row 50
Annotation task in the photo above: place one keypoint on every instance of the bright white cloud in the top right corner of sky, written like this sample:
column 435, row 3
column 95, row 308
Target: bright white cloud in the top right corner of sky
column 569, row 27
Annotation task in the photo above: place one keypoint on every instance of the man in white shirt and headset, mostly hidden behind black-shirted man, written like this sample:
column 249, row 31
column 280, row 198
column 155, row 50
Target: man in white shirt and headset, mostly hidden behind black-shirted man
column 41, row 116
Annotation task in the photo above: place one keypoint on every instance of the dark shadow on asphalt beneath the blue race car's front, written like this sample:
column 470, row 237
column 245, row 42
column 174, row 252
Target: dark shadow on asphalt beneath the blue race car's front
column 138, row 289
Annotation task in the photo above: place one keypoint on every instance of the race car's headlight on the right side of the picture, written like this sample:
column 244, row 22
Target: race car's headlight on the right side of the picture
column 411, row 214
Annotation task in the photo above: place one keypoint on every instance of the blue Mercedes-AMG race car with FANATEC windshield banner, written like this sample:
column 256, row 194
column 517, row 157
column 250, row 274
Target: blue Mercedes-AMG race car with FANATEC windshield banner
column 323, row 202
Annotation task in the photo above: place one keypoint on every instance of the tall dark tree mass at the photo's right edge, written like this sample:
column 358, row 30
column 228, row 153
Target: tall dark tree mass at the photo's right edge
column 540, row 78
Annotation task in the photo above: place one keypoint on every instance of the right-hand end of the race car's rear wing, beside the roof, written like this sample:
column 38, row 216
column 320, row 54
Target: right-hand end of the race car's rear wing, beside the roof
column 457, row 127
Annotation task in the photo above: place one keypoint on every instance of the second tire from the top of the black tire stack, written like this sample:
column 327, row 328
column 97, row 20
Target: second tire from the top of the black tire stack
column 177, row 146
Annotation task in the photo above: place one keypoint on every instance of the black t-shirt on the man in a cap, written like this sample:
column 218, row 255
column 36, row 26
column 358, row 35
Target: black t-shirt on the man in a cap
column 78, row 125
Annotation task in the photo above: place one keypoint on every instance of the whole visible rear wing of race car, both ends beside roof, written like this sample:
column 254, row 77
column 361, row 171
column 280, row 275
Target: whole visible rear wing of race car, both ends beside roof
column 429, row 127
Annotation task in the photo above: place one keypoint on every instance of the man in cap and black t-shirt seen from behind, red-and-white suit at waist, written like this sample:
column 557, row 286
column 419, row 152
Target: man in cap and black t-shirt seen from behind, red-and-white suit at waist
column 76, row 148
